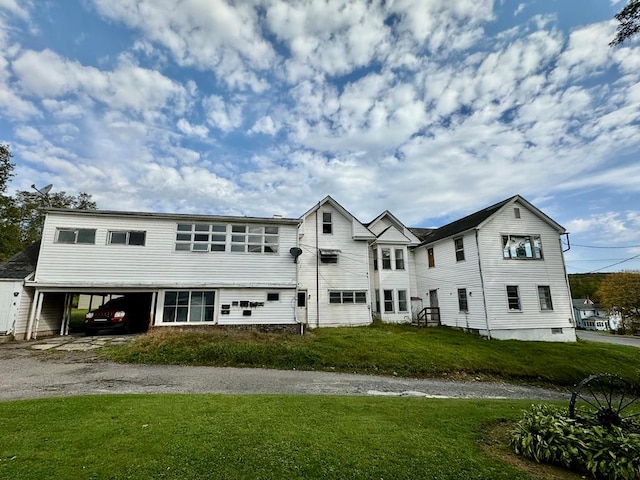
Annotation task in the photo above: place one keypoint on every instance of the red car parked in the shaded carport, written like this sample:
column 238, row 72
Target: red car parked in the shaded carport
column 126, row 314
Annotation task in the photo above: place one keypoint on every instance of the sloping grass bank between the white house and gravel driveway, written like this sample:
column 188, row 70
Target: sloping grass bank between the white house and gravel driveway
column 386, row 349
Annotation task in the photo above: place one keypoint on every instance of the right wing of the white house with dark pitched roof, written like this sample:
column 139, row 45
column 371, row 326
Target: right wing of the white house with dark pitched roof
column 499, row 272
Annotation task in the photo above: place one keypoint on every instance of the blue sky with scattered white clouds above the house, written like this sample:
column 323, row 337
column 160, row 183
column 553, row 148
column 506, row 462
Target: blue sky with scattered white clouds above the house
column 430, row 109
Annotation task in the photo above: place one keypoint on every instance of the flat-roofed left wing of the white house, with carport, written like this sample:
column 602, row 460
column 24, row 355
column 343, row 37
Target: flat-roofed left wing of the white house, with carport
column 196, row 269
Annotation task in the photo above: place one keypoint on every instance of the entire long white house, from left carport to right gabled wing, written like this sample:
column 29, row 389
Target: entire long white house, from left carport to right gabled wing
column 498, row 272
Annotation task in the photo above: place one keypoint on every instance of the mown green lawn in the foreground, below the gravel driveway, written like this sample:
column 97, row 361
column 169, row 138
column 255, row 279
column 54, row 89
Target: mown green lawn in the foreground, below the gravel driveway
column 258, row 437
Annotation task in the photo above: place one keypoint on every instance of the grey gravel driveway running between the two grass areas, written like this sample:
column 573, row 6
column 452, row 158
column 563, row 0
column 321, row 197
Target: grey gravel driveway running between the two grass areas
column 28, row 373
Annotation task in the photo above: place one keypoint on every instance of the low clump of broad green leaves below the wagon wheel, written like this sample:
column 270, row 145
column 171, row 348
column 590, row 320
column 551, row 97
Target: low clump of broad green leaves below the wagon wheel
column 546, row 434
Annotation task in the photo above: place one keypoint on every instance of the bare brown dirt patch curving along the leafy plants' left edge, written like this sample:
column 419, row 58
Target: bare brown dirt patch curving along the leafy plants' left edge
column 495, row 444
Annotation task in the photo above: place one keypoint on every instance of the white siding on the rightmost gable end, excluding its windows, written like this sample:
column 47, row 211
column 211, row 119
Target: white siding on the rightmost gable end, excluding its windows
column 526, row 274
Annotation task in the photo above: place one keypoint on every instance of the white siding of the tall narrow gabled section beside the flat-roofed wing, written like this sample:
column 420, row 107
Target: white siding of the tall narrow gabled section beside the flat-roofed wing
column 349, row 274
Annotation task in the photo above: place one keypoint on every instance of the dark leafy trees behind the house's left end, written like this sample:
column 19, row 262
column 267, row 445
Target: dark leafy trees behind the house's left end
column 22, row 216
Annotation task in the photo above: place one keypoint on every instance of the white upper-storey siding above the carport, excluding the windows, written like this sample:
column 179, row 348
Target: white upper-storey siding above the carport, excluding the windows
column 156, row 263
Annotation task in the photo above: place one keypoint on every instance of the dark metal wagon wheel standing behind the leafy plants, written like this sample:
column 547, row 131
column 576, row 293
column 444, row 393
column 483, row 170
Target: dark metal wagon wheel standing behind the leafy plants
column 607, row 399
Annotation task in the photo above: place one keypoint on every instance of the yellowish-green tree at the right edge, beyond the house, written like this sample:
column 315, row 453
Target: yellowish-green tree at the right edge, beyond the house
column 621, row 291
